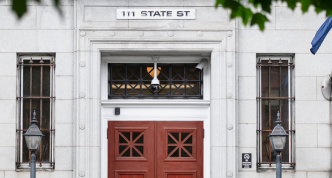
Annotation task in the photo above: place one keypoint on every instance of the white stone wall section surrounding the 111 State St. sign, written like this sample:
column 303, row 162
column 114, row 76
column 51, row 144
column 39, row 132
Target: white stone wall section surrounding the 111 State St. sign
column 102, row 14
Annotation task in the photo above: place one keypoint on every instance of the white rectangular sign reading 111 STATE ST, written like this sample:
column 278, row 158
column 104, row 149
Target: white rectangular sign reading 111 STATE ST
column 156, row 14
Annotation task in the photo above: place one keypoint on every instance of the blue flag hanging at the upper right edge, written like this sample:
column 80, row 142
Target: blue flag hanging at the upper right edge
column 320, row 35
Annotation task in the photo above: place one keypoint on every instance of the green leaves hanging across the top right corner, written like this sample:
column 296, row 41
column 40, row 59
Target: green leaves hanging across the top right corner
column 263, row 7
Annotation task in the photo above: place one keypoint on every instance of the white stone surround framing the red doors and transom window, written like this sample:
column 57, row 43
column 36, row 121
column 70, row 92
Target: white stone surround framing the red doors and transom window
column 219, row 44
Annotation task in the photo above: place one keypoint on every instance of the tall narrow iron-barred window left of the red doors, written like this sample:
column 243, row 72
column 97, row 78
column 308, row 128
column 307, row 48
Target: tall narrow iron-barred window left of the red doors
column 36, row 92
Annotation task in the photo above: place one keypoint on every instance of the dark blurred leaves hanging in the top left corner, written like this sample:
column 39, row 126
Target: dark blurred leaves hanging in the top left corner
column 20, row 7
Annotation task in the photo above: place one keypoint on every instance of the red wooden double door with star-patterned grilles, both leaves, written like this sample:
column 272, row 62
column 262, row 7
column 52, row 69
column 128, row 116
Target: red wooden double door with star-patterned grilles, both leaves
column 153, row 149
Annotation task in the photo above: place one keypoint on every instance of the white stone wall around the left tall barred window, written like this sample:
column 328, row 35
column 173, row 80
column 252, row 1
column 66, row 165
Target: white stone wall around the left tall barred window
column 41, row 30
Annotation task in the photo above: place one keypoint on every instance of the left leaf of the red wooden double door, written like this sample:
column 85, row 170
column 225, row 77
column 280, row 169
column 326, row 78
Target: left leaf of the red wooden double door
column 131, row 149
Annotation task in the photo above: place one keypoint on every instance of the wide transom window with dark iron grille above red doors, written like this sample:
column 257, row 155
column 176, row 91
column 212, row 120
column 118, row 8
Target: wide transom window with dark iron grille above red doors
column 133, row 81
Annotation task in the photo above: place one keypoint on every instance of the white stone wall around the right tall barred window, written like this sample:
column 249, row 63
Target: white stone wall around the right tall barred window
column 289, row 32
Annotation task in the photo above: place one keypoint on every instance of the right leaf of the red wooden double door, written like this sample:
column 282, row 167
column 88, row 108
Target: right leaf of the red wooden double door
column 179, row 149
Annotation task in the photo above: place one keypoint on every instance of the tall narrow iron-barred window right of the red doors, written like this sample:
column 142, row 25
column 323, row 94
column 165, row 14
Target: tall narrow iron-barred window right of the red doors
column 275, row 93
